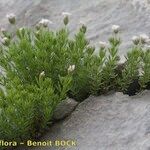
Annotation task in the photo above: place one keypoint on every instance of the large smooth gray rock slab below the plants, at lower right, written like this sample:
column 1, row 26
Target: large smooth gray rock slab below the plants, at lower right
column 110, row 122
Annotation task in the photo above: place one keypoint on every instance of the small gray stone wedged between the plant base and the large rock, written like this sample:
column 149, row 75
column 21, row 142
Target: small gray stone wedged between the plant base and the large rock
column 64, row 109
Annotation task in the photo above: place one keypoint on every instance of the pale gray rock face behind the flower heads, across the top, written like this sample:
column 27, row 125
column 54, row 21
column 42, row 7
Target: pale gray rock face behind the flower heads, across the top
column 99, row 15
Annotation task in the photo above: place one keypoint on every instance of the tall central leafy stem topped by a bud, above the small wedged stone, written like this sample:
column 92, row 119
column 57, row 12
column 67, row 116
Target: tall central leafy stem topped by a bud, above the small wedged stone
column 78, row 51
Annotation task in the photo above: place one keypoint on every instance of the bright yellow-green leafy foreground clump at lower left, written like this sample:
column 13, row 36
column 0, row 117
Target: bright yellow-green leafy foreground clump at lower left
column 26, row 109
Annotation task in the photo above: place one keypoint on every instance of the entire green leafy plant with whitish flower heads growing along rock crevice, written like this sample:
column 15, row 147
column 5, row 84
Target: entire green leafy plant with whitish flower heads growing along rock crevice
column 42, row 67
